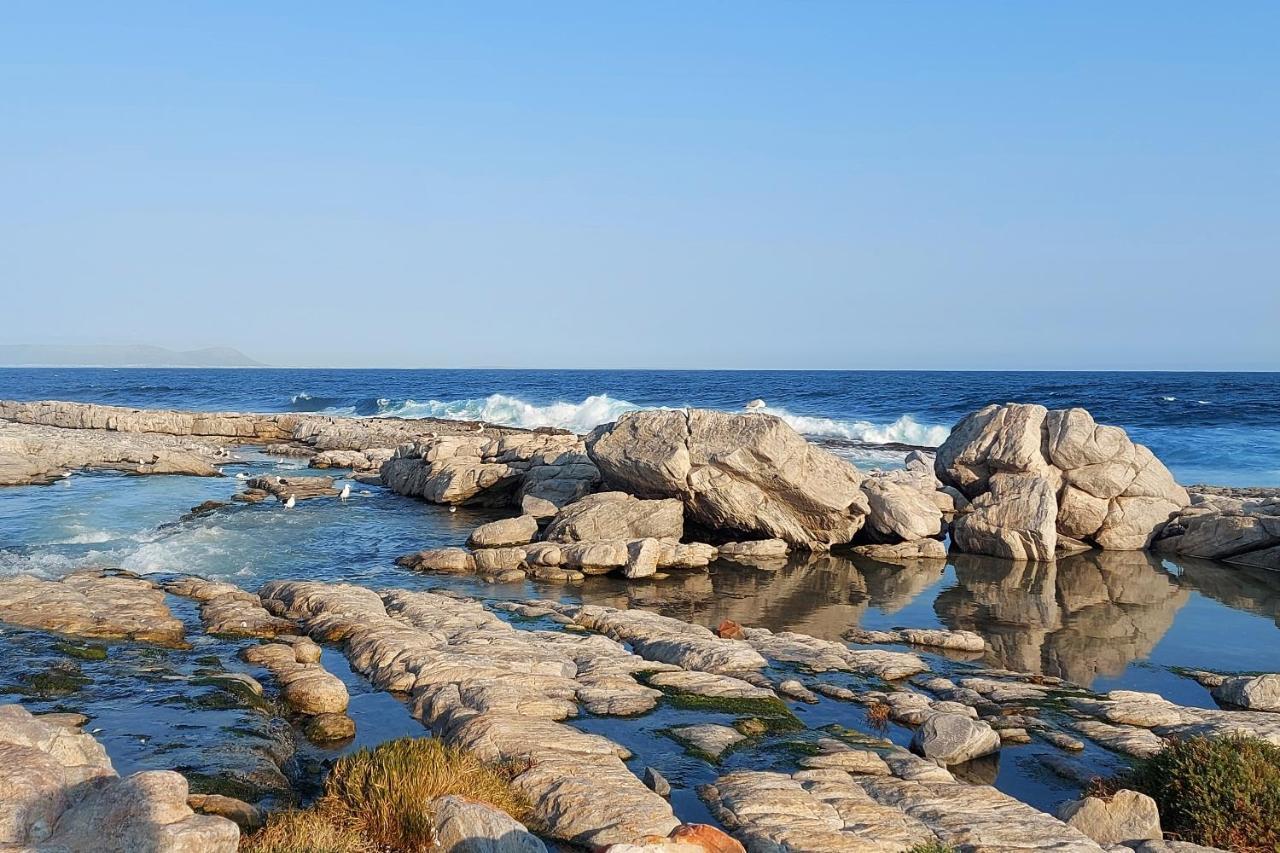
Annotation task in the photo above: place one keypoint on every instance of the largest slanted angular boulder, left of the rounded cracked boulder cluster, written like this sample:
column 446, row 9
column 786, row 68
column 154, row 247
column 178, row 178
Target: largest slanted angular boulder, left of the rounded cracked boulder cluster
column 749, row 475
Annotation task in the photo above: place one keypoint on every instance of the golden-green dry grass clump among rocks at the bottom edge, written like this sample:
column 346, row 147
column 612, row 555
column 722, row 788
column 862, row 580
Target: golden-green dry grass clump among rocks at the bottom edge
column 381, row 800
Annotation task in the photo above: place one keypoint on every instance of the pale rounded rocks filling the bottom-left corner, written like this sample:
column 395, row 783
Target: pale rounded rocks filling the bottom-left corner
column 58, row 792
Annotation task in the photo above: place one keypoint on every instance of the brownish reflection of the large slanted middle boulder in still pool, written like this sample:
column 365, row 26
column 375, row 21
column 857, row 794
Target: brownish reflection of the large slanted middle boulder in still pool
column 821, row 595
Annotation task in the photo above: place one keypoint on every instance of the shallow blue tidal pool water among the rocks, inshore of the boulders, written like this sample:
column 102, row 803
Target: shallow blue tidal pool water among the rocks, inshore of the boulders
column 1104, row 621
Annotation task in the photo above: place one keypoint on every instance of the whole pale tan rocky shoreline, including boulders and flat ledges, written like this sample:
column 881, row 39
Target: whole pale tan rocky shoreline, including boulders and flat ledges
column 655, row 494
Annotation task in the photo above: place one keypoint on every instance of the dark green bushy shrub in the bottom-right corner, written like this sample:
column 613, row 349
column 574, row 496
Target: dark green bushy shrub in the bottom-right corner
column 1219, row 792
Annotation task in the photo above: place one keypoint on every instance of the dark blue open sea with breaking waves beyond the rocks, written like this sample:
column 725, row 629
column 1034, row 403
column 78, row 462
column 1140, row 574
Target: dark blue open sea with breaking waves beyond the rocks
column 1222, row 428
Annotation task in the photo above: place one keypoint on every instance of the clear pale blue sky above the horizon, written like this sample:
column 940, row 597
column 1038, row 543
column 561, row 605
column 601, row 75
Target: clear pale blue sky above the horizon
column 647, row 185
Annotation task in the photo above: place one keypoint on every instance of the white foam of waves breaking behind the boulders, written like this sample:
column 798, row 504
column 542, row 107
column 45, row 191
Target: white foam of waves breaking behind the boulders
column 602, row 409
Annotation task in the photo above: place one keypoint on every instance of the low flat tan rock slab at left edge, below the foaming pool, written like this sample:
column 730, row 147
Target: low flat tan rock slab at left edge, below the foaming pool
column 90, row 604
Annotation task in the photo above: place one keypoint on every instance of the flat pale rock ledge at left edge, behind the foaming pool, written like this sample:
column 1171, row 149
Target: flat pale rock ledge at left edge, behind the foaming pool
column 42, row 455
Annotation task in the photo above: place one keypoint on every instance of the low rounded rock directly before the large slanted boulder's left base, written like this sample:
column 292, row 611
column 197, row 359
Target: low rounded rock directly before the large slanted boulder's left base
column 618, row 516
